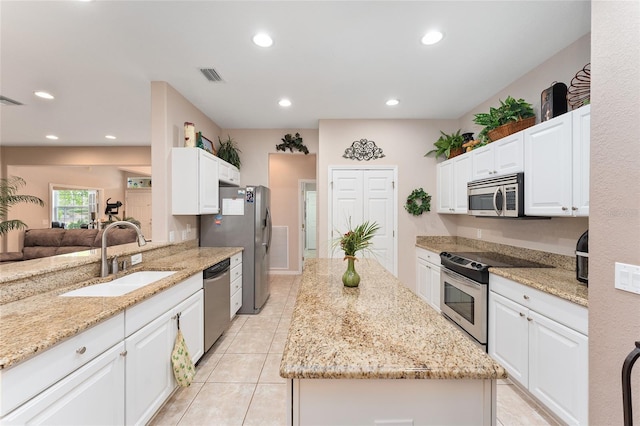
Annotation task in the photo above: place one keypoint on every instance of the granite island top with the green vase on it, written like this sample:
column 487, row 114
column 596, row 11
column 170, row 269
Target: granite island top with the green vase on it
column 379, row 330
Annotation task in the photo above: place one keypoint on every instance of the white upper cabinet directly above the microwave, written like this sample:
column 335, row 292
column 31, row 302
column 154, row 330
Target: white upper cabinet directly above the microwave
column 504, row 156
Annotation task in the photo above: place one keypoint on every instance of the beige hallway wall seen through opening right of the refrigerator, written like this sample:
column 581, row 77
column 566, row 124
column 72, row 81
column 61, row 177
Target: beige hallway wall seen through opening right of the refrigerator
column 285, row 173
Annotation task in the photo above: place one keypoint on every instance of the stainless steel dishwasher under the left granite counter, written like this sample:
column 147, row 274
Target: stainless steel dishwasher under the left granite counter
column 216, row 301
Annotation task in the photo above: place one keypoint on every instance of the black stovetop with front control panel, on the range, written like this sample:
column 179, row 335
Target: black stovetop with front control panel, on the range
column 475, row 265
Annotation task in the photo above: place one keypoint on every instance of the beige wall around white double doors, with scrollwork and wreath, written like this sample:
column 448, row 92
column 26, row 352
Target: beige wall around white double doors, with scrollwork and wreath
column 404, row 143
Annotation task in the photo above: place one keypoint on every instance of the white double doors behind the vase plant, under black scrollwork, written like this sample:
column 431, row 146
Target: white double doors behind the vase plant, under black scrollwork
column 359, row 195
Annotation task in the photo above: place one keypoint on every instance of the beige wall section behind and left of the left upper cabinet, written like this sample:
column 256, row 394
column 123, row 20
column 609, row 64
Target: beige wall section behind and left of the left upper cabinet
column 169, row 111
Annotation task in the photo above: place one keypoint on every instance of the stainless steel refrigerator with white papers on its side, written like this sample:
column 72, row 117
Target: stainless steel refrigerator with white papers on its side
column 244, row 221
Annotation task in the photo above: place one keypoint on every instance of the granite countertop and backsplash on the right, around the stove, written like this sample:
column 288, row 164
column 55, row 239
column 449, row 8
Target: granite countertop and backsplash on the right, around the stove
column 558, row 280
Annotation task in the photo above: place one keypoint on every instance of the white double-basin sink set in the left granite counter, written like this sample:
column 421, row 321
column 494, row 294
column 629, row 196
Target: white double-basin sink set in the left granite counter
column 120, row 286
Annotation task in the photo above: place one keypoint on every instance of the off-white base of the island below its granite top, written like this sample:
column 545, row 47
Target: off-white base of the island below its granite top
column 397, row 402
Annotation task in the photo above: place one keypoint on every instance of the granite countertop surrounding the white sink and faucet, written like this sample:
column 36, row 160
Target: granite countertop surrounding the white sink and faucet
column 35, row 323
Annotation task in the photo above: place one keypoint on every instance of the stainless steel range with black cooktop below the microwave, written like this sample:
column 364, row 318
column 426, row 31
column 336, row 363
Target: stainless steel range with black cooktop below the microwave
column 464, row 290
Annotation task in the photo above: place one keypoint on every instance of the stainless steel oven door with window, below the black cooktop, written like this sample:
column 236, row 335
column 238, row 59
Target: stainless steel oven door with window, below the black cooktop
column 464, row 301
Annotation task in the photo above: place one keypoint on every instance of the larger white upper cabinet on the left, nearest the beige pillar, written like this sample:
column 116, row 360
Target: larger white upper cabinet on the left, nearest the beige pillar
column 194, row 182
